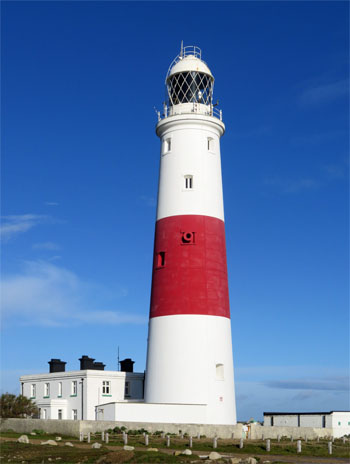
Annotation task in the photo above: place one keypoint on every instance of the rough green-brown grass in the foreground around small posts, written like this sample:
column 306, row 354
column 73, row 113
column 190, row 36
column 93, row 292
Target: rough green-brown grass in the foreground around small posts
column 35, row 452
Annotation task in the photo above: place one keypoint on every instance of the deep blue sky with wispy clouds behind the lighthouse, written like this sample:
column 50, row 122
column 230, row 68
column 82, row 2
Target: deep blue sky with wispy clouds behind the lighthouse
column 80, row 81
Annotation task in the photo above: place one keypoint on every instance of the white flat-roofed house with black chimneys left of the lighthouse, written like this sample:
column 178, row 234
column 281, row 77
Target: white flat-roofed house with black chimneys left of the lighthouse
column 76, row 394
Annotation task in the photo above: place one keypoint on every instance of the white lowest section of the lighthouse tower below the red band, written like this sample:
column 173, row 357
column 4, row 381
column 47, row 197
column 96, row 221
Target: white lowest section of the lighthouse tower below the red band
column 197, row 368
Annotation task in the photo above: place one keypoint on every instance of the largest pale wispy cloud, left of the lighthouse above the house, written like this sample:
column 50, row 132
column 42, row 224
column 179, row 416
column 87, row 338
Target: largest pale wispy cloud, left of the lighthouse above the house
column 47, row 295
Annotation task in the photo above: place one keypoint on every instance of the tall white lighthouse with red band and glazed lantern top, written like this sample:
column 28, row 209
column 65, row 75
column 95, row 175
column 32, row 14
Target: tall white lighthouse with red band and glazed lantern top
column 189, row 355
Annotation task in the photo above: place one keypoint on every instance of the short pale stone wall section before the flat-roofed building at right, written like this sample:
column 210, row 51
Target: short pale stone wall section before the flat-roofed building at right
column 258, row 431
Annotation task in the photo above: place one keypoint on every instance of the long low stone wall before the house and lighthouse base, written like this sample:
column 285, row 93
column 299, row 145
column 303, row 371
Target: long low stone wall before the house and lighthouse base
column 73, row 428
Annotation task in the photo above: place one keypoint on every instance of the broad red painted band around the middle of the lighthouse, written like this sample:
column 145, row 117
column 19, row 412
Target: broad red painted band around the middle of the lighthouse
column 189, row 267
